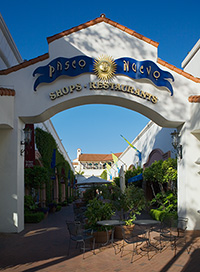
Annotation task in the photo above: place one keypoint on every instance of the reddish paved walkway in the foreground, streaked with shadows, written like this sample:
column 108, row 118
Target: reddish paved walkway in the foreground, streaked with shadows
column 43, row 247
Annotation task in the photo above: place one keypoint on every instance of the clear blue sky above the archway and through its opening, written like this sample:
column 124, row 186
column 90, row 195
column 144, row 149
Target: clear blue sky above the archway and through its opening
column 96, row 129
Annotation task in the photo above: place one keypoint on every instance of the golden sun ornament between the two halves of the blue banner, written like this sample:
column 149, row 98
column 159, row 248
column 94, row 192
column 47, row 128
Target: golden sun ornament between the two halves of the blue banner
column 105, row 67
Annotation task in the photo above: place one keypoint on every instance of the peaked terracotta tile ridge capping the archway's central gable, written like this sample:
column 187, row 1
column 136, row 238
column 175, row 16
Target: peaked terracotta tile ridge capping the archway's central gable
column 97, row 20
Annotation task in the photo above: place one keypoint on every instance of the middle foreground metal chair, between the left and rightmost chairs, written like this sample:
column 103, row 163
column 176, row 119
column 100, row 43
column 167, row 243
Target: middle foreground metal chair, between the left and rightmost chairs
column 136, row 237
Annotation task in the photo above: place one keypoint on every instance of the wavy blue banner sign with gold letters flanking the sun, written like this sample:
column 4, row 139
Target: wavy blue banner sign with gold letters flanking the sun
column 83, row 64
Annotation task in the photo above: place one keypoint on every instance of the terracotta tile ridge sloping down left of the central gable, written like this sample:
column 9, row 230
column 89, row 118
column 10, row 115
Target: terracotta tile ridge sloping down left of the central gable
column 24, row 64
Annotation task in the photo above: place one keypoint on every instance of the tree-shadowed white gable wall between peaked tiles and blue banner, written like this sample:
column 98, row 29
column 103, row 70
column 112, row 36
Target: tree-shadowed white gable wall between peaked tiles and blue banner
column 102, row 39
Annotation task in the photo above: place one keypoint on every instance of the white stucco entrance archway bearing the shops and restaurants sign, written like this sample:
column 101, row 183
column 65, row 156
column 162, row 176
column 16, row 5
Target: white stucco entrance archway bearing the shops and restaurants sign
column 65, row 78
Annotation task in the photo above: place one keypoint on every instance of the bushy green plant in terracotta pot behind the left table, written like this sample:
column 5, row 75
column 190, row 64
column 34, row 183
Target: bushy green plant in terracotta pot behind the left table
column 98, row 211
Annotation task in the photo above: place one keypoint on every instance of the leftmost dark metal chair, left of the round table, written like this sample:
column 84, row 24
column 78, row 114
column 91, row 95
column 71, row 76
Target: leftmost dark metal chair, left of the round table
column 80, row 236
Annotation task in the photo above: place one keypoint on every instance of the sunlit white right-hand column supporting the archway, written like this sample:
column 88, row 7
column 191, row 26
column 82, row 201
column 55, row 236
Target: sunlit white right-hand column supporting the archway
column 189, row 179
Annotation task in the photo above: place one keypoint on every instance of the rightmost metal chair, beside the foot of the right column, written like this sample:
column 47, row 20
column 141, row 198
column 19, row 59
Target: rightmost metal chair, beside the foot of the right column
column 172, row 231
